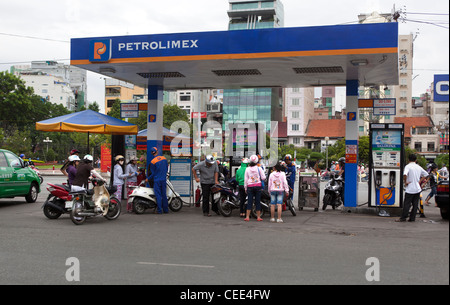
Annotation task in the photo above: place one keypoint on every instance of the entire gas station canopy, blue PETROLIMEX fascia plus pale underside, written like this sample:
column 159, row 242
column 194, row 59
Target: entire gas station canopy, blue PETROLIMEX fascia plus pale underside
column 282, row 57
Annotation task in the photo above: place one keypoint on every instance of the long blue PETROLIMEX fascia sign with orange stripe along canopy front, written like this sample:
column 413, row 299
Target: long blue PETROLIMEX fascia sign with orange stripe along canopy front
column 325, row 40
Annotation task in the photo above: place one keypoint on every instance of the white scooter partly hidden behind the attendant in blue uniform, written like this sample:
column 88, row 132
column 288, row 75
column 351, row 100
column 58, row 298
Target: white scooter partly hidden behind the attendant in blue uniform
column 143, row 198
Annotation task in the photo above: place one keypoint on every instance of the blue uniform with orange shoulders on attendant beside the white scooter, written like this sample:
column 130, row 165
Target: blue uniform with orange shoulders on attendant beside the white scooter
column 159, row 168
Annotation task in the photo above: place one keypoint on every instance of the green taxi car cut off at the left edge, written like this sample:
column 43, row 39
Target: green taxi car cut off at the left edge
column 16, row 178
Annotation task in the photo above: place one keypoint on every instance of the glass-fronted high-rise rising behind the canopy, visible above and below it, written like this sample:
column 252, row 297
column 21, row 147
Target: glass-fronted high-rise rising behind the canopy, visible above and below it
column 257, row 104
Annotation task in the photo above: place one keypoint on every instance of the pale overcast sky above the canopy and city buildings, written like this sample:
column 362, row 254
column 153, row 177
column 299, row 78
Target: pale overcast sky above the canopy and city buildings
column 56, row 21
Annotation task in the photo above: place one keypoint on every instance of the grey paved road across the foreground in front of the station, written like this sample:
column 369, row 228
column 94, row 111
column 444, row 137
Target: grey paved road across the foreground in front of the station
column 325, row 247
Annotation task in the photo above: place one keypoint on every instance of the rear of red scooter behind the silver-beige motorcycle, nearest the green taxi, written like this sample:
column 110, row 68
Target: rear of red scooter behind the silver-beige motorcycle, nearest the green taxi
column 58, row 202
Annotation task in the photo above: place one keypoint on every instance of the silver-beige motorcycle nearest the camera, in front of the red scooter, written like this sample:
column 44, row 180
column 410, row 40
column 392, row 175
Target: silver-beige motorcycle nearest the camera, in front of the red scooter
column 95, row 202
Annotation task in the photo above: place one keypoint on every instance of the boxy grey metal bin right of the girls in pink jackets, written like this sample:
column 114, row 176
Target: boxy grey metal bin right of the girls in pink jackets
column 309, row 192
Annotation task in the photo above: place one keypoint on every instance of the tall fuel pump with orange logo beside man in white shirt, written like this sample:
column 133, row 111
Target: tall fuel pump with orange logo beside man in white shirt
column 386, row 165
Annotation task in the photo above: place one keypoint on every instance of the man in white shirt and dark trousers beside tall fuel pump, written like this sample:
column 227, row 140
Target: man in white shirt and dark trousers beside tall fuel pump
column 411, row 179
